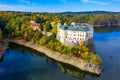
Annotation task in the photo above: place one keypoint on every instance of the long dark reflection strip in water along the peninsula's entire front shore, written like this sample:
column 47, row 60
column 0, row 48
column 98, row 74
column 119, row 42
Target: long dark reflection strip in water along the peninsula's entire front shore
column 65, row 68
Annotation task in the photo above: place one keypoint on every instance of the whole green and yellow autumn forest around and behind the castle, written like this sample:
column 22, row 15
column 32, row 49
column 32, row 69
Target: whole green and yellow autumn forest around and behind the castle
column 17, row 25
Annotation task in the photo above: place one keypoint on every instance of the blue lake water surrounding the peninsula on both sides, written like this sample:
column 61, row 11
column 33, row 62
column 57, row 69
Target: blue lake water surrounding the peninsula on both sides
column 21, row 63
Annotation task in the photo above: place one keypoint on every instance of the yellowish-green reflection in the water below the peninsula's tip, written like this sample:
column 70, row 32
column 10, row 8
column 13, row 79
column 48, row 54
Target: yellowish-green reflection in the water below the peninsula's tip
column 76, row 72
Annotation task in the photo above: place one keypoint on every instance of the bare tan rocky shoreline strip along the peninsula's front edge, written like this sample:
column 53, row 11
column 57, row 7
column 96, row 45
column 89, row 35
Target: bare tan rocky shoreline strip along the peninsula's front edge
column 76, row 62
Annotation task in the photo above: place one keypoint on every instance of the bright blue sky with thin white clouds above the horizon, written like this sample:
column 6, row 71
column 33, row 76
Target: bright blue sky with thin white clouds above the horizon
column 60, row 5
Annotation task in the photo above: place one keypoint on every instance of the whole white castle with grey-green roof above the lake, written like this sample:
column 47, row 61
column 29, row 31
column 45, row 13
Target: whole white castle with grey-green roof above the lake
column 72, row 35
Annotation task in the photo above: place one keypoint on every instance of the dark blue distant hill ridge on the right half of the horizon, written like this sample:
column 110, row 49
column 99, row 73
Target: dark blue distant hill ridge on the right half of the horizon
column 91, row 12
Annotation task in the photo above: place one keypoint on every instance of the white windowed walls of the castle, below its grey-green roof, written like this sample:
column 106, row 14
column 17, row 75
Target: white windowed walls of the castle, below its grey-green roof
column 74, row 38
